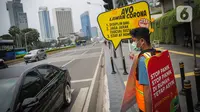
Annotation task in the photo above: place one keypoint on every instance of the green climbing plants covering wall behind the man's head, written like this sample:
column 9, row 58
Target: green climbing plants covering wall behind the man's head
column 163, row 26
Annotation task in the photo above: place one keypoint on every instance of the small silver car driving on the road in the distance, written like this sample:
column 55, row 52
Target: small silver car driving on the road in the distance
column 35, row 55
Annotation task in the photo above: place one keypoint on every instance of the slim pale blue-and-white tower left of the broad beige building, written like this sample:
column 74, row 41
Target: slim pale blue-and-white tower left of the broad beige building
column 45, row 24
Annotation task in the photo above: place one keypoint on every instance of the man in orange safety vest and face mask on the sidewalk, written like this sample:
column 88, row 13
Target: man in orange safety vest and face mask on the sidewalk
column 141, row 37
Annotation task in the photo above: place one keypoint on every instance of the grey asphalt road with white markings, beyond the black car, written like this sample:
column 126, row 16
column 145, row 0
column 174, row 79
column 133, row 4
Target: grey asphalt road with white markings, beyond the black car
column 81, row 63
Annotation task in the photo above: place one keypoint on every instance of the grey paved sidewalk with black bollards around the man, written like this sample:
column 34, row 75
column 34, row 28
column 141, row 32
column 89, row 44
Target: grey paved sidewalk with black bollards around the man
column 176, row 58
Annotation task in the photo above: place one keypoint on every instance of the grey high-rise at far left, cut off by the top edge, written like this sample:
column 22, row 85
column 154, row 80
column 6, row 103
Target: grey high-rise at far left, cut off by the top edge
column 16, row 13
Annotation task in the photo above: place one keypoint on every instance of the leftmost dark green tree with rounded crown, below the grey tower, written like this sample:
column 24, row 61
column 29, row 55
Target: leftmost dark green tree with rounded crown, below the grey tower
column 14, row 31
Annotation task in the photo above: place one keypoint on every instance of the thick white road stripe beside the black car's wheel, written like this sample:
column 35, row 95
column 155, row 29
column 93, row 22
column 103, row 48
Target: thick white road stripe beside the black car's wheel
column 80, row 100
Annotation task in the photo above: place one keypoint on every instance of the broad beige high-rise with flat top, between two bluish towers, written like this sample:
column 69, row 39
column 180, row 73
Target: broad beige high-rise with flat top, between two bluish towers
column 63, row 23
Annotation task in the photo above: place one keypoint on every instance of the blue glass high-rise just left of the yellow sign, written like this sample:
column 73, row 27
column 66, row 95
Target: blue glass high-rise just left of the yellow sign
column 85, row 23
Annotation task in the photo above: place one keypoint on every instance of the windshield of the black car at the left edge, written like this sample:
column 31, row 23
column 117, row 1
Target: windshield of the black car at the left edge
column 6, row 93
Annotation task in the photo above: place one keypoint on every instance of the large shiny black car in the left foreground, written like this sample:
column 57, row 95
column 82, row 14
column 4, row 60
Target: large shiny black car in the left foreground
column 30, row 88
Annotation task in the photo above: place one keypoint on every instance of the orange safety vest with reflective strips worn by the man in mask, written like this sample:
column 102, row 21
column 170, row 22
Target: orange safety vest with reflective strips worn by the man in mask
column 140, row 88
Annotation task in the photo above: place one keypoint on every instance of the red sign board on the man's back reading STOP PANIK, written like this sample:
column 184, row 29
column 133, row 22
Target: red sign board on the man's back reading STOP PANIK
column 162, row 83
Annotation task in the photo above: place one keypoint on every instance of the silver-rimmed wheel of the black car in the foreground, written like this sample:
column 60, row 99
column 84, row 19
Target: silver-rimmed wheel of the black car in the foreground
column 67, row 95
